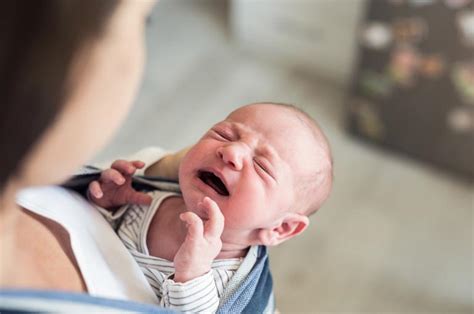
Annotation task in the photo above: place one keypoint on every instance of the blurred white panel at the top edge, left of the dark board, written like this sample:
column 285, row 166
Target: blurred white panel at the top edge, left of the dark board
column 314, row 35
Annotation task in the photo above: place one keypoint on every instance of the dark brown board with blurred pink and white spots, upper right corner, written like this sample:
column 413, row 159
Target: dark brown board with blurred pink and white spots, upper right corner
column 413, row 86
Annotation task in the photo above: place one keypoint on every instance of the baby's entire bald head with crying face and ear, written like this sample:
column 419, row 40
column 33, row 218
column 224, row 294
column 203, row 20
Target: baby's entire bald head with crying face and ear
column 268, row 166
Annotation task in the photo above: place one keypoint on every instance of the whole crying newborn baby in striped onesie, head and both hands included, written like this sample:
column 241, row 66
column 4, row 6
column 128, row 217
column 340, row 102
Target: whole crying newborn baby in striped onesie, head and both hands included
column 252, row 179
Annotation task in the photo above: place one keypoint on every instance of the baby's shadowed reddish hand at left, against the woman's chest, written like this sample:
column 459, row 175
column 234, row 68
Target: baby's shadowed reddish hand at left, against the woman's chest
column 114, row 187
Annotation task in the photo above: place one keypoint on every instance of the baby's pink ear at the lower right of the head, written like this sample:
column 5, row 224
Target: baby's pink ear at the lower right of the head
column 292, row 225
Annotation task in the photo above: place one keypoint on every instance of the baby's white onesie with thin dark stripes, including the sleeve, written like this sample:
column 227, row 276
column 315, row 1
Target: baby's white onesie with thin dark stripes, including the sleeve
column 201, row 294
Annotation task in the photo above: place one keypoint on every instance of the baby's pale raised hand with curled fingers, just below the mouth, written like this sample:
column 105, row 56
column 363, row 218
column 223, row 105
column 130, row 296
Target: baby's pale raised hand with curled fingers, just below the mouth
column 202, row 244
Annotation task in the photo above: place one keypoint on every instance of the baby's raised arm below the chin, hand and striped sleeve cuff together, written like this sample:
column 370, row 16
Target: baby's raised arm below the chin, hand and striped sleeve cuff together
column 193, row 289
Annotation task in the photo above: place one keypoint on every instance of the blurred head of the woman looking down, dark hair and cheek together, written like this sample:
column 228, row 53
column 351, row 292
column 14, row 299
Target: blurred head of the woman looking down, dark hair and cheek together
column 68, row 72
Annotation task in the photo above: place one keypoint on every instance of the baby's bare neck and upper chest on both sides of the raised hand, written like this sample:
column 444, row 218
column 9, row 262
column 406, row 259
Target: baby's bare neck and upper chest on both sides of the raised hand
column 167, row 232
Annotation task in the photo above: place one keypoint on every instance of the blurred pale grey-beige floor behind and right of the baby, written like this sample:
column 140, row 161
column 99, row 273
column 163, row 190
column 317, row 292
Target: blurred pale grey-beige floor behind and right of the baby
column 395, row 236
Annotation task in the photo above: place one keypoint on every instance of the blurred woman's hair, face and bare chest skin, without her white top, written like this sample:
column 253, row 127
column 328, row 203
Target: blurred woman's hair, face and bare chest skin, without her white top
column 69, row 73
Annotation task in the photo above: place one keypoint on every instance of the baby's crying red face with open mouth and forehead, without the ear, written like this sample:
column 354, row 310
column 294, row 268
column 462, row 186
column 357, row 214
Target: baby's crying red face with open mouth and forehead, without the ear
column 248, row 164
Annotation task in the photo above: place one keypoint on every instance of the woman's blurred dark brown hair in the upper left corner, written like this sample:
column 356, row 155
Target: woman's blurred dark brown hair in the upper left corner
column 38, row 41
